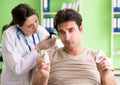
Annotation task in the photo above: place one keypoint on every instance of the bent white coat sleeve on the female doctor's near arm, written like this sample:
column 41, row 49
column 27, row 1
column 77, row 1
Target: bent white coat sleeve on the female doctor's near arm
column 13, row 59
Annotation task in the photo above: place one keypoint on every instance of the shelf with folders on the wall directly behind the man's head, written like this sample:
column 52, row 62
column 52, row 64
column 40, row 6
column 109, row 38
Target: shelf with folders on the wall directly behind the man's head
column 50, row 7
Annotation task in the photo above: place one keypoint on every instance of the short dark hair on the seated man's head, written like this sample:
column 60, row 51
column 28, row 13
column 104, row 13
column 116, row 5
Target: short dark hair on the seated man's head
column 65, row 15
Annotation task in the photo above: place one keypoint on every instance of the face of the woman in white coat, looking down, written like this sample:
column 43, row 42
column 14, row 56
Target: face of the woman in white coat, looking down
column 30, row 25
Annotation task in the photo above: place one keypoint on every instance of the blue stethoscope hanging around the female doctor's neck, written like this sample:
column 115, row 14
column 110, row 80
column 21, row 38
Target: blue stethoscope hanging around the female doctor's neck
column 18, row 36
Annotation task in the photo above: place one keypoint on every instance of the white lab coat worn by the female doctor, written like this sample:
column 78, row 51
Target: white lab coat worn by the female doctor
column 17, row 59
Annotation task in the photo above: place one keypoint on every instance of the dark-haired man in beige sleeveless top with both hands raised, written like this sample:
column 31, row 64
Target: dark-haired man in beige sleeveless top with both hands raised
column 72, row 64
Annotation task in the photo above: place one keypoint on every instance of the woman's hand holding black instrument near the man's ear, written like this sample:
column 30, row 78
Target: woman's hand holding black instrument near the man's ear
column 45, row 44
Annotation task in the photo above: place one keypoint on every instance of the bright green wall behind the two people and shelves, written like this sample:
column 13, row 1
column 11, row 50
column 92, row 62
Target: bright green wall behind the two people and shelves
column 97, row 22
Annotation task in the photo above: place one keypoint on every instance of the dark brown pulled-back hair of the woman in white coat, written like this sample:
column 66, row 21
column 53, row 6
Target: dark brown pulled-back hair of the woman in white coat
column 20, row 13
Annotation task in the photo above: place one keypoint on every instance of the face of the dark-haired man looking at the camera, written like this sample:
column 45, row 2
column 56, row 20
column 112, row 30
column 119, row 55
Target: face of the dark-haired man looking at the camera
column 70, row 34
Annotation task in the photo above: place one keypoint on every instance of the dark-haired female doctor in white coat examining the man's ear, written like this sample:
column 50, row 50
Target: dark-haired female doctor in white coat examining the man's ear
column 21, row 44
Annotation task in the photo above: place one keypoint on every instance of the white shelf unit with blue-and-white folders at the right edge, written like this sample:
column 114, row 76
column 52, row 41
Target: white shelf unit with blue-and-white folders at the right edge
column 115, row 33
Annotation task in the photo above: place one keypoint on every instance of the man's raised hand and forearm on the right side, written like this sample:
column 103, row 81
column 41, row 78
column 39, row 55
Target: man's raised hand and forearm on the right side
column 105, row 71
